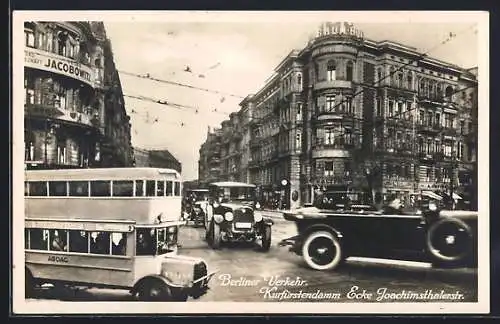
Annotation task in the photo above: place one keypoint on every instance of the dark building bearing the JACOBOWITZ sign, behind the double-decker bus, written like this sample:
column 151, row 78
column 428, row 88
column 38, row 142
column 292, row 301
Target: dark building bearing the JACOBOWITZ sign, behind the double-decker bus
column 74, row 109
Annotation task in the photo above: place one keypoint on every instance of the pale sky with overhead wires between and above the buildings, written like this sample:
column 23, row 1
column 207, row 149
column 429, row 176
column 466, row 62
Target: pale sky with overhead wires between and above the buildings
column 235, row 57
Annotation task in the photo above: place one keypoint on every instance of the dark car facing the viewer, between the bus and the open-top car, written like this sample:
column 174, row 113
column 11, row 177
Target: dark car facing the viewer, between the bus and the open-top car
column 233, row 215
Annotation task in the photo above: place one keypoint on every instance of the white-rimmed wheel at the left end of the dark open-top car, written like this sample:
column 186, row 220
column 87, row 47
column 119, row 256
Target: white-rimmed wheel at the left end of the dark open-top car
column 322, row 251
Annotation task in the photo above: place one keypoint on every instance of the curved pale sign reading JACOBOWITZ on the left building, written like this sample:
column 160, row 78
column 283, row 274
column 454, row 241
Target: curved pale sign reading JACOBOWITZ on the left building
column 53, row 63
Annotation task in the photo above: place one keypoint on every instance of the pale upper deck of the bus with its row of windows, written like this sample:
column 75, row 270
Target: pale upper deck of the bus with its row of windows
column 142, row 194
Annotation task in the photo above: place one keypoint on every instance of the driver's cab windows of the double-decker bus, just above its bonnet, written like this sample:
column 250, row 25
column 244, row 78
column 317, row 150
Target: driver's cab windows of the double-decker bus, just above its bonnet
column 155, row 241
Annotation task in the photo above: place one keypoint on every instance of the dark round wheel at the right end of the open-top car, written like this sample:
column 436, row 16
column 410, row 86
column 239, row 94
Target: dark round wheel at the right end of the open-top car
column 449, row 242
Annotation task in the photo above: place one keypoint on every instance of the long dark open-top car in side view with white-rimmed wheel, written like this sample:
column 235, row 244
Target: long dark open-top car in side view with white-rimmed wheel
column 326, row 237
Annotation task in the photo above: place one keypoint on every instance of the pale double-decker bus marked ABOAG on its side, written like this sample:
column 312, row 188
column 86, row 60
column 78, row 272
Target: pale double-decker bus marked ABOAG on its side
column 113, row 228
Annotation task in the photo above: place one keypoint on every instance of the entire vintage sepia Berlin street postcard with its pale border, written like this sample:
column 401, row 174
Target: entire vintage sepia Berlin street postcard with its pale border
column 250, row 162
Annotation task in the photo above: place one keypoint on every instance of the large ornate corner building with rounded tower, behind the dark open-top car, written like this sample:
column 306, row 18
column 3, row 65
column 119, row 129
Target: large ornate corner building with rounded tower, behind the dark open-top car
column 349, row 113
